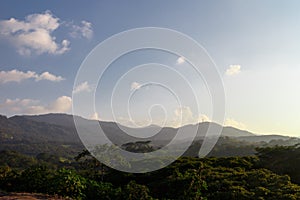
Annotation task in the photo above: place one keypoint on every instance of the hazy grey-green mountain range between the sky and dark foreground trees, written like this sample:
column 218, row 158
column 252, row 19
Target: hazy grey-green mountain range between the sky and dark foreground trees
column 59, row 129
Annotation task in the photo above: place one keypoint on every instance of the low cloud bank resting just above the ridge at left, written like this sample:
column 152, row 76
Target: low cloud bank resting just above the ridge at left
column 31, row 106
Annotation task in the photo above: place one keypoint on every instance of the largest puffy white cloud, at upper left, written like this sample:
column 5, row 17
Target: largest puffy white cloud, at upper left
column 34, row 34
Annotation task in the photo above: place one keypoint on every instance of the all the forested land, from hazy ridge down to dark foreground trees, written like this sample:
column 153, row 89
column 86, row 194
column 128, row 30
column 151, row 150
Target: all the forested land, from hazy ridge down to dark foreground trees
column 43, row 154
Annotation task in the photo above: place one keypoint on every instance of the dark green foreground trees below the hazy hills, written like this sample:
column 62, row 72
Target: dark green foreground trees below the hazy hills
column 272, row 174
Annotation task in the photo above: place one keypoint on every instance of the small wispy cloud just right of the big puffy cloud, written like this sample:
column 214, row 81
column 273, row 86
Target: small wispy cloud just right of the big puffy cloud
column 83, row 30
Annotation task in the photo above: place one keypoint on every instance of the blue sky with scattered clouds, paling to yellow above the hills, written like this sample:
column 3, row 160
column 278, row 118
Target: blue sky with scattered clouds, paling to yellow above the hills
column 254, row 46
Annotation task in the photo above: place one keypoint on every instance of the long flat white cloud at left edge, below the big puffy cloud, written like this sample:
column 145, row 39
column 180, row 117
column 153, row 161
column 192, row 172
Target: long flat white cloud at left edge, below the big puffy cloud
column 18, row 76
